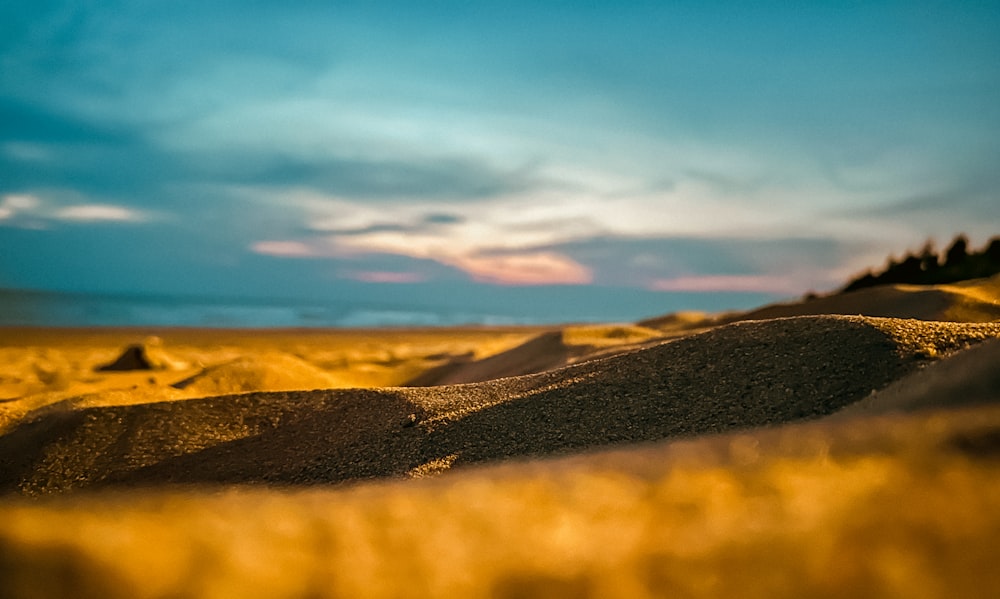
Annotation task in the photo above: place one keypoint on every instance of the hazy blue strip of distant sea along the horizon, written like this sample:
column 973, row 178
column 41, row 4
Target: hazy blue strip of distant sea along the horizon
column 518, row 307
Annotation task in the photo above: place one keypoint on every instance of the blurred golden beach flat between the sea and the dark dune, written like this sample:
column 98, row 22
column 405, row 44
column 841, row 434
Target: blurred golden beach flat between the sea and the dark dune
column 43, row 366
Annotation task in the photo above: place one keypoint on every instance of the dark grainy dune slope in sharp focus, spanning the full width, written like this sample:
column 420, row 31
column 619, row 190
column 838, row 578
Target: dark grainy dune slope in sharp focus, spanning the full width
column 742, row 375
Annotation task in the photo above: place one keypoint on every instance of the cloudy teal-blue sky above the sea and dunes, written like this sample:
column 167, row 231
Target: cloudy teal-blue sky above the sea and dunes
column 545, row 154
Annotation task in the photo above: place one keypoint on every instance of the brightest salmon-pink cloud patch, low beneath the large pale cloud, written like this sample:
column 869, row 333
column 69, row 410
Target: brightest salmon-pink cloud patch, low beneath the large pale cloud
column 538, row 268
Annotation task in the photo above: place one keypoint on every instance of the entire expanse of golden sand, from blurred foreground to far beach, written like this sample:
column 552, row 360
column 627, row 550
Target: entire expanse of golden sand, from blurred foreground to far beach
column 797, row 450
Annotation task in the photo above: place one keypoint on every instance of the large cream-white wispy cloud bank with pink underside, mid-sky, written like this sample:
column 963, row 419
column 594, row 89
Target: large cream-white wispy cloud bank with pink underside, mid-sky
column 513, row 239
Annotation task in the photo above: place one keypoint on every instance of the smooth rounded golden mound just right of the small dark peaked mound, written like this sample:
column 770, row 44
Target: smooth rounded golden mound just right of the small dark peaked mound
column 269, row 372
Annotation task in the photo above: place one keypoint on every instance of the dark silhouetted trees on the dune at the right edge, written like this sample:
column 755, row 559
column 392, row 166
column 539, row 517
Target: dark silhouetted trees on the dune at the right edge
column 927, row 267
